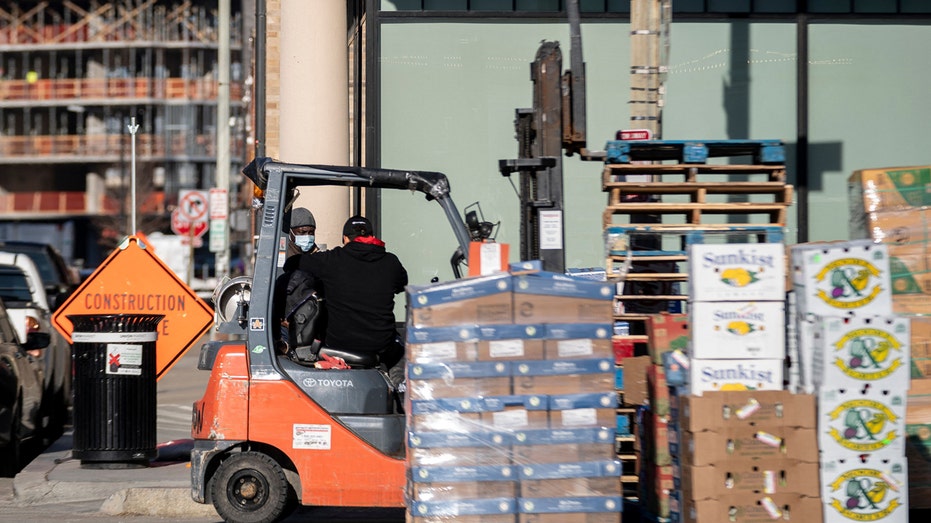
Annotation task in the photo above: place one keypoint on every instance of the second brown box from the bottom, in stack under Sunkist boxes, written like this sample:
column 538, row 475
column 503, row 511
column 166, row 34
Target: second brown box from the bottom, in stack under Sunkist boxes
column 749, row 477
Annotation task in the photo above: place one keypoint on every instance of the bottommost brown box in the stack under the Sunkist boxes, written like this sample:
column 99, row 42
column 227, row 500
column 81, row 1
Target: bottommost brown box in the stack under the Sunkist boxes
column 740, row 508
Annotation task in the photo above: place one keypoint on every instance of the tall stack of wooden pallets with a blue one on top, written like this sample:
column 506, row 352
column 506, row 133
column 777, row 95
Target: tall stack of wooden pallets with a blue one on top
column 662, row 197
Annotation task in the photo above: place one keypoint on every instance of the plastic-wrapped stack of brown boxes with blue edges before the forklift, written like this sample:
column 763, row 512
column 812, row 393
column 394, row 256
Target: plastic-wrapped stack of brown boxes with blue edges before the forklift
column 511, row 401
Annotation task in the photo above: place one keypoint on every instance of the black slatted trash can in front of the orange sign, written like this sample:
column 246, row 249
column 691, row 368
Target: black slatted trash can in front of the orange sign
column 114, row 389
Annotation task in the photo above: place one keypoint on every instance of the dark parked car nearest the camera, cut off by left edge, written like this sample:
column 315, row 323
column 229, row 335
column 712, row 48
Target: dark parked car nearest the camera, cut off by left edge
column 21, row 384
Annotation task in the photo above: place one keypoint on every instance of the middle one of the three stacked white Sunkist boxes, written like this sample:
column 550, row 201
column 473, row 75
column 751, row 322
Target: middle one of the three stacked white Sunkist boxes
column 738, row 330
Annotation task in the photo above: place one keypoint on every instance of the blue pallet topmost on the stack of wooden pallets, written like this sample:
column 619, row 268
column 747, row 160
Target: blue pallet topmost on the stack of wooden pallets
column 694, row 151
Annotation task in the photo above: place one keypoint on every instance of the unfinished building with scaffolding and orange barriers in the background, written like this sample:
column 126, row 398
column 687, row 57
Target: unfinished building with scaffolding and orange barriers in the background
column 74, row 78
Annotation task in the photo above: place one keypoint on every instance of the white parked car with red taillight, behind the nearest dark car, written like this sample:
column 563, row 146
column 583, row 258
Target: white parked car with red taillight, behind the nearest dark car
column 29, row 311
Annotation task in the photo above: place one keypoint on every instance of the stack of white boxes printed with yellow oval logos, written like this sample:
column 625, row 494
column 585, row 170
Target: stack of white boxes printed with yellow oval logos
column 860, row 373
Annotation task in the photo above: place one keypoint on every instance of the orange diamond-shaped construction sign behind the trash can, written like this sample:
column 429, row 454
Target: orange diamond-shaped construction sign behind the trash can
column 133, row 280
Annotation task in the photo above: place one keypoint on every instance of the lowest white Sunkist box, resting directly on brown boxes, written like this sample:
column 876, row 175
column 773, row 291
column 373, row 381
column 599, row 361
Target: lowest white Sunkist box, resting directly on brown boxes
column 736, row 374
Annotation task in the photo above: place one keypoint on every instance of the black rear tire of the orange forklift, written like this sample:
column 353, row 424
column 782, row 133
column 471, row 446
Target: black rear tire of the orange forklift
column 251, row 487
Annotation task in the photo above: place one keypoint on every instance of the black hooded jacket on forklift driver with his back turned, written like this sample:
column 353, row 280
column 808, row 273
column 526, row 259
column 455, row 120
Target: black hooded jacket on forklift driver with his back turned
column 358, row 282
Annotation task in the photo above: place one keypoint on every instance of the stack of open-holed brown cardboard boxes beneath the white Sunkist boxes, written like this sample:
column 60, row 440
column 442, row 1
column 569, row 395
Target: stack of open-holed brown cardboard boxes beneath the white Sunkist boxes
column 744, row 456
